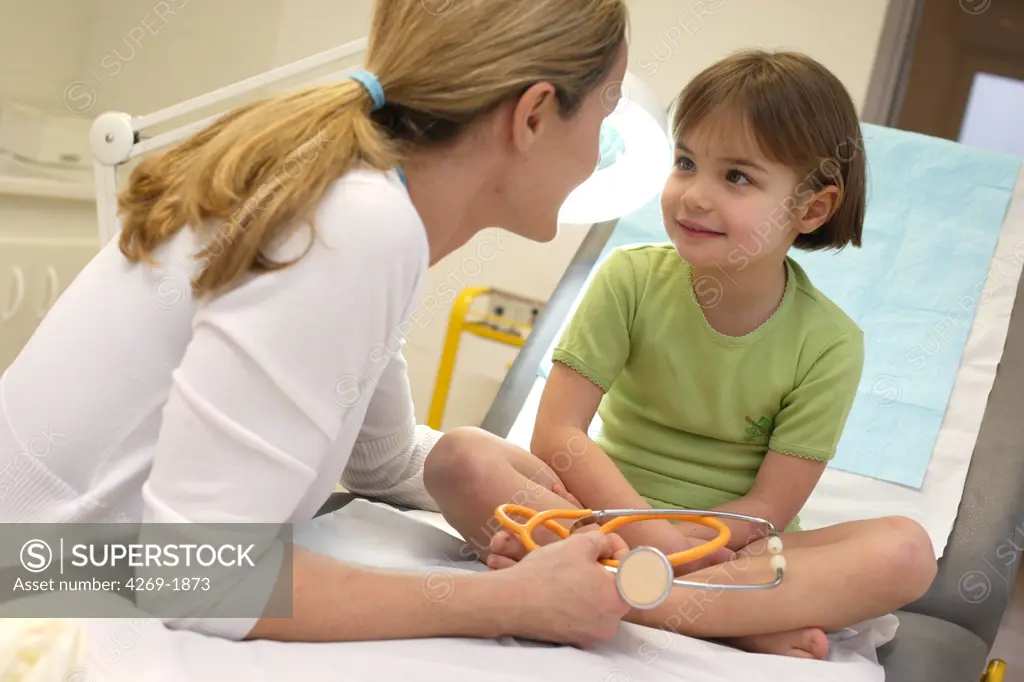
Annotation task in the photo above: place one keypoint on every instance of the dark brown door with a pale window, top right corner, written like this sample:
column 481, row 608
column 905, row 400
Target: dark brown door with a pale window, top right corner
column 965, row 49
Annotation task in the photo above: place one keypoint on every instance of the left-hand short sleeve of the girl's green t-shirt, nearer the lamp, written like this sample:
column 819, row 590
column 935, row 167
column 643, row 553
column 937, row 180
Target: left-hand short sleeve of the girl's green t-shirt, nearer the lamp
column 596, row 343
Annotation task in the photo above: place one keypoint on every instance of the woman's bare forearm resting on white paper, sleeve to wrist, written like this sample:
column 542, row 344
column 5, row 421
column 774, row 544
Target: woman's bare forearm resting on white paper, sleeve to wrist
column 333, row 602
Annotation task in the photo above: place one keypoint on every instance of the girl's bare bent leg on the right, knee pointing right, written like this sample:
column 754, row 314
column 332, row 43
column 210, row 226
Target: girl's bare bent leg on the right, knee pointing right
column 835, row 578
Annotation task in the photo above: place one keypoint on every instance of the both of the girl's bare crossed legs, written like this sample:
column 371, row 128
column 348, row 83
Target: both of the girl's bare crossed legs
column 835, row 578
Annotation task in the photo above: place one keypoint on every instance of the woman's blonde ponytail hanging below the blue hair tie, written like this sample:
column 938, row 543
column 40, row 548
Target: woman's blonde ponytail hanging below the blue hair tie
column 252, row 175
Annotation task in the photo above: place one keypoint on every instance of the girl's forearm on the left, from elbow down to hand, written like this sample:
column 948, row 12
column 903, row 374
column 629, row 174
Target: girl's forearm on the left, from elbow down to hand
column 595, row 481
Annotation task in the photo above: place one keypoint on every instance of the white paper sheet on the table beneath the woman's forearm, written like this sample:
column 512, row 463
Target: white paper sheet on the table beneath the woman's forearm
column 141, row 650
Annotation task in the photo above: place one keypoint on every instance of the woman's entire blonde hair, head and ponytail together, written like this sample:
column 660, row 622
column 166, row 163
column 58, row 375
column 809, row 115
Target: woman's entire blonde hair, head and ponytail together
column 261, row 169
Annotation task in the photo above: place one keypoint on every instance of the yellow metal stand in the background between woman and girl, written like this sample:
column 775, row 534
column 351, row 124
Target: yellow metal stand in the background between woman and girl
column 488, row 326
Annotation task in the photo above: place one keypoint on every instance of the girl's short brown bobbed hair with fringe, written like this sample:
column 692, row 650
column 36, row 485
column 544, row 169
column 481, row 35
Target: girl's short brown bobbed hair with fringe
column 800, row 115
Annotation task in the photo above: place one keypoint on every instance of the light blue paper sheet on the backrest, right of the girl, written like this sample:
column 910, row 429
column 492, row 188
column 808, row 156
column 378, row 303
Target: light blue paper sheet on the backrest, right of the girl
column 935, row 211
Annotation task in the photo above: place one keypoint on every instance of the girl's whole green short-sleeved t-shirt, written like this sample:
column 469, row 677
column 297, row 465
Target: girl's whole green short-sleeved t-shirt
column 689, row 413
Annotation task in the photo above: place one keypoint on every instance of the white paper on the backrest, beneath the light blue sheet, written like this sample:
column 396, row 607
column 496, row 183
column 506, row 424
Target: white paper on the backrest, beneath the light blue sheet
column 842, row 496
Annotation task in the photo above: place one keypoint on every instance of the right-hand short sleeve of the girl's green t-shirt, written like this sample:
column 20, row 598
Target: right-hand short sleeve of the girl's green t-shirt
column 815, row 414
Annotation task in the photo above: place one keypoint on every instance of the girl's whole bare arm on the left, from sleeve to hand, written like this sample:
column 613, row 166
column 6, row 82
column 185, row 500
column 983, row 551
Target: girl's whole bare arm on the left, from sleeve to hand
column 568, row 407
